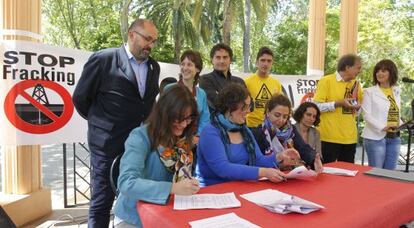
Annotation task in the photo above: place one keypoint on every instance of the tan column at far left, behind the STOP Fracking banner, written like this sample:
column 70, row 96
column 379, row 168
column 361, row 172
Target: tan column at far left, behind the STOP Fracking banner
column 23, row 197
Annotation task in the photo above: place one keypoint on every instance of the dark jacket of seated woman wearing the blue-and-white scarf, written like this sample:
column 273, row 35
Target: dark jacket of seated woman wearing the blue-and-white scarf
column 306, row 152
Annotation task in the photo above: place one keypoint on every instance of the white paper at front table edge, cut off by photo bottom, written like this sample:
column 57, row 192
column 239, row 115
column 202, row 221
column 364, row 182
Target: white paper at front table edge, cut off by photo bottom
column 230, row 220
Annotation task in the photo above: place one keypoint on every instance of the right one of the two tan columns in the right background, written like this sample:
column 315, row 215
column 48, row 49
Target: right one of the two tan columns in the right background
column 348, row 33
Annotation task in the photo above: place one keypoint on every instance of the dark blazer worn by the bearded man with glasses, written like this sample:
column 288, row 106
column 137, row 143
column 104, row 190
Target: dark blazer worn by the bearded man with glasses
column 107, row 96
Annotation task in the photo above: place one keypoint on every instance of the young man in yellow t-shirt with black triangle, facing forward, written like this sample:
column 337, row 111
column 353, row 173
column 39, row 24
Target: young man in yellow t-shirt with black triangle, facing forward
column 261, row 86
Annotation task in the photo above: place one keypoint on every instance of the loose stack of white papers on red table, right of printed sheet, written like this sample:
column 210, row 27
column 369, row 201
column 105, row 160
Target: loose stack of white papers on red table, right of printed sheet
column 280, row 202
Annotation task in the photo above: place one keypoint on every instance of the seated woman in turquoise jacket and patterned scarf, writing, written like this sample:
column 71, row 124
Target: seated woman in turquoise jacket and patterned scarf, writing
column 158, row 158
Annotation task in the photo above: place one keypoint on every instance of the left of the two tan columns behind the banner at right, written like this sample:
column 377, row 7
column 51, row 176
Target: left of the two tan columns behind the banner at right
column 316, row 37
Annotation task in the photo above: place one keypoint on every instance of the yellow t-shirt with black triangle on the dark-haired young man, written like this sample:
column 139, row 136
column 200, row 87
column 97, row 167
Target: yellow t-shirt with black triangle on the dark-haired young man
column 261, row 89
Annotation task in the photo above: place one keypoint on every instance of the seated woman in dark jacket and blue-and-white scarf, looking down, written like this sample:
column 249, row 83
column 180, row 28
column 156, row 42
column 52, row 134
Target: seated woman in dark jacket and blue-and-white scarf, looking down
column 277, row 134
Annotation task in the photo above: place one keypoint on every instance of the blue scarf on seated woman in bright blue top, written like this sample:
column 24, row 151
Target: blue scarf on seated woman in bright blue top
column 224, row 125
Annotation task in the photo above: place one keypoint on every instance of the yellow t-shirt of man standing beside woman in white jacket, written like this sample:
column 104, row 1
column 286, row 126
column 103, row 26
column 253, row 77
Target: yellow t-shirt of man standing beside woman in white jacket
column 338, row 126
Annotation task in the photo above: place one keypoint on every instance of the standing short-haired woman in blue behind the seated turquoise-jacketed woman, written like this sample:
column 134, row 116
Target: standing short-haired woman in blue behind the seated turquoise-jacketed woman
column 191, row 65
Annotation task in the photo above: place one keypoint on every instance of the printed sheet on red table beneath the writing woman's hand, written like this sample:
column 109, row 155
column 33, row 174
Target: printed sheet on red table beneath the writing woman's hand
column 201, row 201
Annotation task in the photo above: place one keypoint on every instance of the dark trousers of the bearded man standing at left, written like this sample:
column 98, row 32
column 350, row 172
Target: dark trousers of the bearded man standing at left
column 102, row 195
